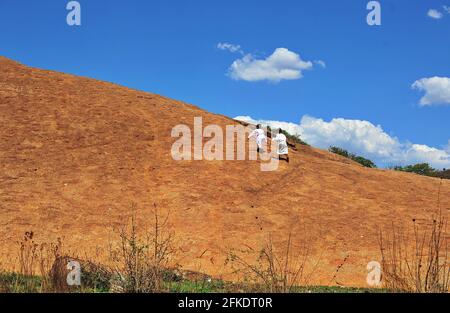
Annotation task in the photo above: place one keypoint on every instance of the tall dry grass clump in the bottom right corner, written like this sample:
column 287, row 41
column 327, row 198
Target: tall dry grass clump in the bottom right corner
column 417, row 262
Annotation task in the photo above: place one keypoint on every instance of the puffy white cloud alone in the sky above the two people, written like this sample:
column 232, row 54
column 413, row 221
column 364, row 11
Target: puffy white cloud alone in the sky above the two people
column 281, row 65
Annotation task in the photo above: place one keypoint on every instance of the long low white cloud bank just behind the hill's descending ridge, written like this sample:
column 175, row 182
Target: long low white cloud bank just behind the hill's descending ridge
column 363, row 138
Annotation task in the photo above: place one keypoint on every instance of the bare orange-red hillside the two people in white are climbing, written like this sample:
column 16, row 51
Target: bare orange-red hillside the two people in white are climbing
column 76, row 152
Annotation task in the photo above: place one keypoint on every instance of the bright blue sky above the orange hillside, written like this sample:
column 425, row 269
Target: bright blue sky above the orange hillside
column 171, row 48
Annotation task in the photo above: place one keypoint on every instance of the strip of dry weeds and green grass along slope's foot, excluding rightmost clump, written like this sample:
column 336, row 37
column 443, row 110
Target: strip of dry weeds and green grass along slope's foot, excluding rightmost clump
column 141, row 265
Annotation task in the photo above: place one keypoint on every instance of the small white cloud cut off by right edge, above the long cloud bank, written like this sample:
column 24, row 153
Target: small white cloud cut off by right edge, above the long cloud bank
column 437, row 90
